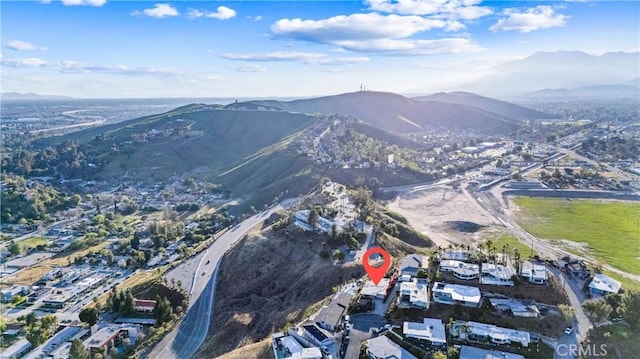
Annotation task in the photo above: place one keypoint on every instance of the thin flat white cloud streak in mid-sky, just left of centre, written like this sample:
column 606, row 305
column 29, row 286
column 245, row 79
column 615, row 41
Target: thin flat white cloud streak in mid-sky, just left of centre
column 304, row 57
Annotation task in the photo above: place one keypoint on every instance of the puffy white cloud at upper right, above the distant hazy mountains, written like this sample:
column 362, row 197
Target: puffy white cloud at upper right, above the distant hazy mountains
column 539, row 17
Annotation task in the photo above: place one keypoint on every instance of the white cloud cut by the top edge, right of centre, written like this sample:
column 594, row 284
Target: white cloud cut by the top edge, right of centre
column 451, row 9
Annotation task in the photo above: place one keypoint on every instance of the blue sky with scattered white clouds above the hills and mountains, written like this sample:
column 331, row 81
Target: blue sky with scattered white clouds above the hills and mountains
column 108, row 48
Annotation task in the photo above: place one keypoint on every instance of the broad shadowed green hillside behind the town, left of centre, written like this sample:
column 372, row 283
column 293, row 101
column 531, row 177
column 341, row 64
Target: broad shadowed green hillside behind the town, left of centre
column 188, row 138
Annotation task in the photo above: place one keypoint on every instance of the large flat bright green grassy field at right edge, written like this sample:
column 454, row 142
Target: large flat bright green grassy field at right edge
column 611, row 229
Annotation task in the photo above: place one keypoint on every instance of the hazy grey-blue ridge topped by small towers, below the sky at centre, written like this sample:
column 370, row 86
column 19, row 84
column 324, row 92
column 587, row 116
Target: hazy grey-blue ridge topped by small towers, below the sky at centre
column 399, row 114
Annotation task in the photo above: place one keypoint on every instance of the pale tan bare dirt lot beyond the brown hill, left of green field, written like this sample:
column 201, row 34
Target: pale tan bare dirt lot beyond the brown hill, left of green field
column 431, row 211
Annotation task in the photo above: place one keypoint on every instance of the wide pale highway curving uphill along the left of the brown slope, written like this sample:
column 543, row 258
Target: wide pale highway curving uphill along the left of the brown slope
column 185, row 340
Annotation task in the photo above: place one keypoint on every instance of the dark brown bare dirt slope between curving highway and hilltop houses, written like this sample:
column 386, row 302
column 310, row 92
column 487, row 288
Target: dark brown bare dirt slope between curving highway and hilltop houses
column 265, row 281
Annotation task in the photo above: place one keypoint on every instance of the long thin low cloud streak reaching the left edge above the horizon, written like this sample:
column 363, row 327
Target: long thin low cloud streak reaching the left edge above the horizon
column 78, row 67
